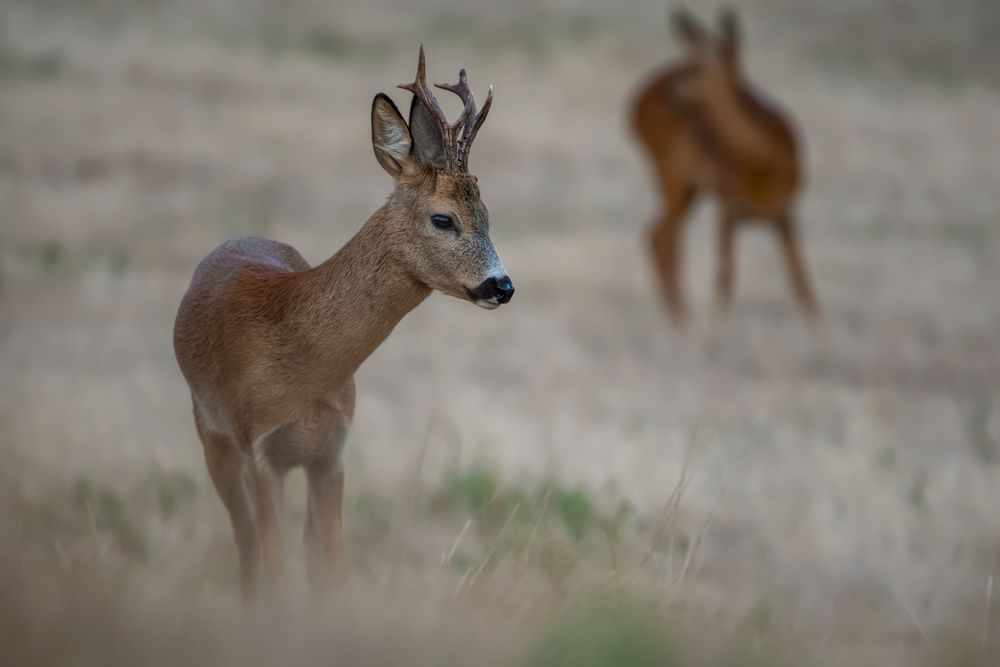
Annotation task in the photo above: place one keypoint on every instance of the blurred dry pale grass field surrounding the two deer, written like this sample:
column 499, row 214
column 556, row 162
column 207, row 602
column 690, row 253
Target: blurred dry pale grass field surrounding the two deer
column 745, row 490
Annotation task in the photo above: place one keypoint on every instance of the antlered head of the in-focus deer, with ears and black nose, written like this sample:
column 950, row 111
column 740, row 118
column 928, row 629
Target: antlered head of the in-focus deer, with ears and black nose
column 438, row 227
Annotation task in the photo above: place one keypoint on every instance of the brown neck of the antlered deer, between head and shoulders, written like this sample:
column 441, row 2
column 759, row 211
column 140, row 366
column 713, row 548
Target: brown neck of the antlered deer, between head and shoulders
column 351, row 302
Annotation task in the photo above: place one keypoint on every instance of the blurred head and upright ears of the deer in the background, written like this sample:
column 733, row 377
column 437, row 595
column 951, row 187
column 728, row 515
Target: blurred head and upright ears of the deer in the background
column 715, row 58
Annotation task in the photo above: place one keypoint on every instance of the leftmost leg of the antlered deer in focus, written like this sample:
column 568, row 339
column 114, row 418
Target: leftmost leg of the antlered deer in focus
column 226, row 466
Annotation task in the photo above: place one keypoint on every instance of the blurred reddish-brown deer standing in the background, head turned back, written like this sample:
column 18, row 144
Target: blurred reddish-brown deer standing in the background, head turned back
column 706, row 129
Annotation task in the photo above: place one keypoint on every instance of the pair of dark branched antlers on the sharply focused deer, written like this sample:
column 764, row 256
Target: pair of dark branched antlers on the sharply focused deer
column 469, row 121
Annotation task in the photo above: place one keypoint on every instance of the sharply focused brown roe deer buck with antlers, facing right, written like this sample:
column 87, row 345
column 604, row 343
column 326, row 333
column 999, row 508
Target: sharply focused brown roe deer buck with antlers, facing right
column 269, row 346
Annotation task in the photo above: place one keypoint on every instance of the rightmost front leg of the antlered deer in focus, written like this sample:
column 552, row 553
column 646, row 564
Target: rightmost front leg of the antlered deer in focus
column 324, row 526
